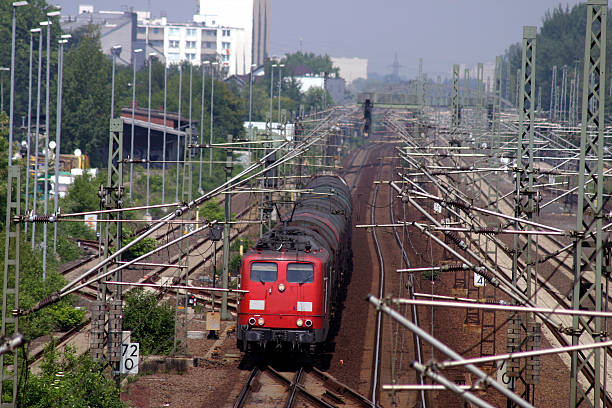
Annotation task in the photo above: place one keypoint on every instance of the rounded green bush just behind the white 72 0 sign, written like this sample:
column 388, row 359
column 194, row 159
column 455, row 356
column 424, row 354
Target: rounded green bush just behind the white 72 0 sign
column 151, row 323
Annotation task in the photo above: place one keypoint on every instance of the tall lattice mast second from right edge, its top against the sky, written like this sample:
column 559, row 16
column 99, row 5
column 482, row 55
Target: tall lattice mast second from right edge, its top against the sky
column 526, row 204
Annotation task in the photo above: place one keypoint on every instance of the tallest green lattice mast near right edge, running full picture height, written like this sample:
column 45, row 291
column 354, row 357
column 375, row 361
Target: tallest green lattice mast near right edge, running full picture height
column 589, row 245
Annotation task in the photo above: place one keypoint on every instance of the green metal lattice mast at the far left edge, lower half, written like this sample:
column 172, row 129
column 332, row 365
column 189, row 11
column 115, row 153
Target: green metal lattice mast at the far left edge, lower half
column 10, row 289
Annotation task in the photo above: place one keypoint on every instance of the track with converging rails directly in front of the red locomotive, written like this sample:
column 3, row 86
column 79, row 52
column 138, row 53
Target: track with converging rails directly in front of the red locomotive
column 305, row 387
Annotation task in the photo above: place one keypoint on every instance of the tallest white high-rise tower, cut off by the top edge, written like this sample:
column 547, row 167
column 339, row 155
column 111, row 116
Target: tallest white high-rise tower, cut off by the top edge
column 253, row 16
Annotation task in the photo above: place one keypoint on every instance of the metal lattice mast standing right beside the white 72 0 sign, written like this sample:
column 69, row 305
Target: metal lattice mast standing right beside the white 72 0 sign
column 107, row 307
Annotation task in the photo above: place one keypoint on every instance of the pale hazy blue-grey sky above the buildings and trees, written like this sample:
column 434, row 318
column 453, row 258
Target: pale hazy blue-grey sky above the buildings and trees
column 443, row 32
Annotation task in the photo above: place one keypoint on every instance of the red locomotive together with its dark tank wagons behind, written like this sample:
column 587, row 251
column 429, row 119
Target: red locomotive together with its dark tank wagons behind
column 296, row 273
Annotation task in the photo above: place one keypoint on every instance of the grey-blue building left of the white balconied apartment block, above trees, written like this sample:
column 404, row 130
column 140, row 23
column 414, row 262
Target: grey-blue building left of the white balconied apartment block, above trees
column 116, row 28
